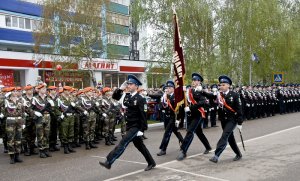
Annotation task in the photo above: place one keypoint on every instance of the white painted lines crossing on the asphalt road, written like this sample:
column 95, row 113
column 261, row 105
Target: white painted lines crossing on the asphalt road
column 195, row 155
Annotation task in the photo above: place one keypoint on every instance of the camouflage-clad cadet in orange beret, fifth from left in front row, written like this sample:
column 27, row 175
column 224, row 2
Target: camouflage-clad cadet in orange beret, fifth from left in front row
column 66, row 104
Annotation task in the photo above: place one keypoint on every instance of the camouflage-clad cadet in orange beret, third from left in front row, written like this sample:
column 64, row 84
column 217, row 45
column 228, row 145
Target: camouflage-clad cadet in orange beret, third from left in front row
column 41, row 107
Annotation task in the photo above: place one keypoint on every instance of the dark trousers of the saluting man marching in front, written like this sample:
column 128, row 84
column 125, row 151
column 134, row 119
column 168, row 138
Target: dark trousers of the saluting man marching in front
column 138, row 143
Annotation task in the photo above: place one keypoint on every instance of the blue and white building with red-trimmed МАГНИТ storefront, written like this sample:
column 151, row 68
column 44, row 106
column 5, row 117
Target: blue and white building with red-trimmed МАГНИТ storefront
column 19, row 65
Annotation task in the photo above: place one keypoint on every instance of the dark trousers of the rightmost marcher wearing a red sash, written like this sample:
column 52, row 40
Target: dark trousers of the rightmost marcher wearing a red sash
column 227, row 136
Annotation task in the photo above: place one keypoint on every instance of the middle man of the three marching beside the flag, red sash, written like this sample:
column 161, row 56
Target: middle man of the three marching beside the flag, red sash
column 198, row 99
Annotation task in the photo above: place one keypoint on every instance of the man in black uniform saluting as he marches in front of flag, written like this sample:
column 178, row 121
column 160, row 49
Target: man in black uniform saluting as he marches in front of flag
column 135, row 116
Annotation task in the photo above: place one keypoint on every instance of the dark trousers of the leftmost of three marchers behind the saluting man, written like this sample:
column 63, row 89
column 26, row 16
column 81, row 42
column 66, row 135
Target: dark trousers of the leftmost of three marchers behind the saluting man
column 167, row 135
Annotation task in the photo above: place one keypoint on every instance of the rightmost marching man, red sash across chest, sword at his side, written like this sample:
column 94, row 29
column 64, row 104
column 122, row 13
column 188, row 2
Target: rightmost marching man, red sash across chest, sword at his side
column 230, row 114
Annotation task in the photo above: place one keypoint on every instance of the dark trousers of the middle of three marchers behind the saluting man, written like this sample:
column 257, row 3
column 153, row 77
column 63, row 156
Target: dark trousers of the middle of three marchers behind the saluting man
column 194, row 127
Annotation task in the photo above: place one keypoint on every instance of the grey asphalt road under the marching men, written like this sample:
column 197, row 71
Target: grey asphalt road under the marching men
column 272, row 153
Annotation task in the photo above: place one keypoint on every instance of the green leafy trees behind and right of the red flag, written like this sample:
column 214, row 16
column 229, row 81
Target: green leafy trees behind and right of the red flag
column 220, row 36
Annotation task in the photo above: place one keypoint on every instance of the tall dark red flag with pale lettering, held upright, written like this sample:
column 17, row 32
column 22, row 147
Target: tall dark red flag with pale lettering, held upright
column 179, row 68
